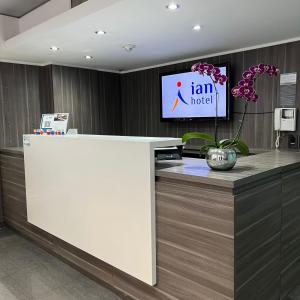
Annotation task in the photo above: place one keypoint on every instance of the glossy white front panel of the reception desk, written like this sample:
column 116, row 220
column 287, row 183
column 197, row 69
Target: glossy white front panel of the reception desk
column 97, row 194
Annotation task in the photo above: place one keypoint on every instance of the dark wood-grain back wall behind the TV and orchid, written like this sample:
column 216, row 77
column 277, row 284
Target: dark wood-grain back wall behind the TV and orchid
column 141, row 98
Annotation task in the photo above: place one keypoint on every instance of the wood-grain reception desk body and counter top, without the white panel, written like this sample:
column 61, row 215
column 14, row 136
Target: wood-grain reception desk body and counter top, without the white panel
column 219, row 235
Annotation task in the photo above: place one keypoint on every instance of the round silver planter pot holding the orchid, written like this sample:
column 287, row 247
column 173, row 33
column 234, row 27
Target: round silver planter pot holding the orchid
column 221, row 159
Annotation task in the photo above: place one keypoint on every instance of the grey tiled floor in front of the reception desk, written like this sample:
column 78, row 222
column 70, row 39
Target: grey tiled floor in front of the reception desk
column 29, row 273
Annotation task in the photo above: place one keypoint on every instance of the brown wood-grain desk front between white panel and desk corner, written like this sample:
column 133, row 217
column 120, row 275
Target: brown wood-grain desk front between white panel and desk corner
column 195, row 234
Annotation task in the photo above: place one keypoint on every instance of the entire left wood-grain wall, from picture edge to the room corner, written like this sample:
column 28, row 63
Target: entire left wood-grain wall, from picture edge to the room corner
column 92, row 98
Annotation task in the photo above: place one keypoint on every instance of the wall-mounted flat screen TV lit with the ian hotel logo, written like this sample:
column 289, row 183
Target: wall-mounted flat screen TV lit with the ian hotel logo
column 188, row 95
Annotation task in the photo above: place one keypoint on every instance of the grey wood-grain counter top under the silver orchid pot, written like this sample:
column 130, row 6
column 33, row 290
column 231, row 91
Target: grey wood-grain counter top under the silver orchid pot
column 247, row 169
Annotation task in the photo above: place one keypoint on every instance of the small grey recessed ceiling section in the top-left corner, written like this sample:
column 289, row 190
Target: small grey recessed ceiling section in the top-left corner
column 18, row 8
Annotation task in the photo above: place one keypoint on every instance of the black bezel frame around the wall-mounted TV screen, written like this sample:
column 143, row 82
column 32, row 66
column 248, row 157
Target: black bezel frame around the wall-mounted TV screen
column 228, row 98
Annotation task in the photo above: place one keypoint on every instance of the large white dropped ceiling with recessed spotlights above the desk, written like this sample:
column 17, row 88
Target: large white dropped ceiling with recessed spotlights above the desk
column 160, row 35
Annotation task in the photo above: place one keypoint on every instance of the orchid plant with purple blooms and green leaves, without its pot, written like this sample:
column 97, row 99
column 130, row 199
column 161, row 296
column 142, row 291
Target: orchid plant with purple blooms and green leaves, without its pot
column 244, row 90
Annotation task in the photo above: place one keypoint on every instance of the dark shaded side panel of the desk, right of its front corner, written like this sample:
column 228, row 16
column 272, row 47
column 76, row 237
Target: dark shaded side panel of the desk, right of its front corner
column 257, row 241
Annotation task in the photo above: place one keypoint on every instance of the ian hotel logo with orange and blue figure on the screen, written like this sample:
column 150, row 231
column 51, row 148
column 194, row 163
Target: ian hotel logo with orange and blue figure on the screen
column 195, row 99
